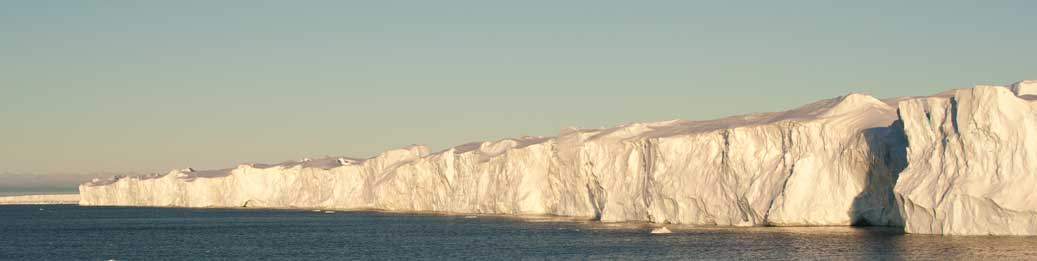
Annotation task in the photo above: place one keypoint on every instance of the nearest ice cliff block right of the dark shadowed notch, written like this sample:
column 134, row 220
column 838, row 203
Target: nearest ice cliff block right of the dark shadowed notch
column 973, row 163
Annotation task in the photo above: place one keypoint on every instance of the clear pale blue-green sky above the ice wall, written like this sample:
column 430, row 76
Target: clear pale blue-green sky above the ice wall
column 96, row 89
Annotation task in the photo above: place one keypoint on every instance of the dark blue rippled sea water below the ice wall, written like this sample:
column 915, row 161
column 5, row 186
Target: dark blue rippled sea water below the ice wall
column 69, row 233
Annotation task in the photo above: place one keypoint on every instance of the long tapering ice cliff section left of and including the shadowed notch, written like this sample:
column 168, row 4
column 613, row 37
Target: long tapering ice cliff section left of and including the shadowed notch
column 822, row 164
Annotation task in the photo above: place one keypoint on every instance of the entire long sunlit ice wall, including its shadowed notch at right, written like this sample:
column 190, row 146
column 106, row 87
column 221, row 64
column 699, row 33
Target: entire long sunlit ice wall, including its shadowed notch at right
column 958, row 163
